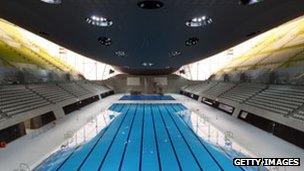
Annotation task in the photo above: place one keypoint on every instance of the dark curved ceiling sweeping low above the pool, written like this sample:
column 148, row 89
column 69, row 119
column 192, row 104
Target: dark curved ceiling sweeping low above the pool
column 148, row 37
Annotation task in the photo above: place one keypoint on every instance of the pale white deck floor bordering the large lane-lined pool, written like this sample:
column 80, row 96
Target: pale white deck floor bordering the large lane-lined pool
column 32, row 150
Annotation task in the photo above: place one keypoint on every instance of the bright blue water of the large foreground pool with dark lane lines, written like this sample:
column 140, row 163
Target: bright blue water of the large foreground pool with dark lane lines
column 144, row 137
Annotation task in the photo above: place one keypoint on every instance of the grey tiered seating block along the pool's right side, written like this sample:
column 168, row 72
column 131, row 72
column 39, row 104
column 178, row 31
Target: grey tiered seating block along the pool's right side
column 285, row 100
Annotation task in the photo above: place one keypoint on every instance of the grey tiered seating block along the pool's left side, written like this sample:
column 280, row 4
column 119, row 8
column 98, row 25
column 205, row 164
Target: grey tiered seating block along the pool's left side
column 17, row 99
